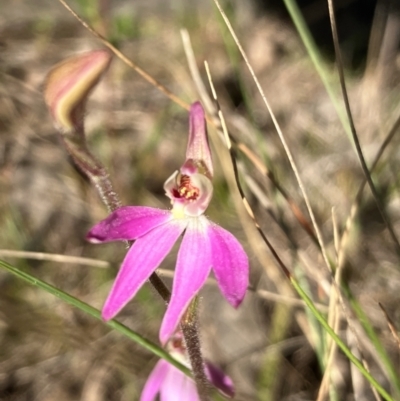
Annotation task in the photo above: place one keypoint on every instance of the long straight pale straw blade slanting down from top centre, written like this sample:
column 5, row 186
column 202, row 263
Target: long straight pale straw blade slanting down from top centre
column 281, row 137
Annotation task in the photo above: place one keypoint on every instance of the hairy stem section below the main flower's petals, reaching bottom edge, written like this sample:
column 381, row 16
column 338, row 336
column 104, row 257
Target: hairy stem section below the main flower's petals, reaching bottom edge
column 192, row 341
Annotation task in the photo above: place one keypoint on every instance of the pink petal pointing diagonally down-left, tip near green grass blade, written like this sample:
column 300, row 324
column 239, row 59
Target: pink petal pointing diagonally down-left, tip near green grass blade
column 142, row 259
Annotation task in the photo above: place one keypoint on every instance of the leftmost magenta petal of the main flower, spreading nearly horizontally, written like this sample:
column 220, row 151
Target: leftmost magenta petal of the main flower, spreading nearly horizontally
column 128, row 223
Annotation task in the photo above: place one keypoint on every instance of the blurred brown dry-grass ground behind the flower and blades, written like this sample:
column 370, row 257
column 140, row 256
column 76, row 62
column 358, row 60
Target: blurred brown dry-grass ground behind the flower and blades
column 271, row 346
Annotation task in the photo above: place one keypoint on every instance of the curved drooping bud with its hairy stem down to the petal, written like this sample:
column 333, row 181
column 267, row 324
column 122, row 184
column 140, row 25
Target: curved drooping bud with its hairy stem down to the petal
column 67, row 88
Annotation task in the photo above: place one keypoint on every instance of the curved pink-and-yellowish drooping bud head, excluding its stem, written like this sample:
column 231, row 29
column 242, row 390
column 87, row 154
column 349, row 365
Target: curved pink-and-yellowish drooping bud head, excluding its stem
column 68, row 85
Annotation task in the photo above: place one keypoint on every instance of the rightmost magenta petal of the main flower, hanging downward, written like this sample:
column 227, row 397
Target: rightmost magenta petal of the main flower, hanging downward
column 230, row 264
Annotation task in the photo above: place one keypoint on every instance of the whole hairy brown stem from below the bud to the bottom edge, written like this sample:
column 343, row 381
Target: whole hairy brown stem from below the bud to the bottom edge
column 98, row 175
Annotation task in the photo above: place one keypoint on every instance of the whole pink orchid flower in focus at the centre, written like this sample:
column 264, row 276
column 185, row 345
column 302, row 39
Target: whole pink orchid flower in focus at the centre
column 205, row 245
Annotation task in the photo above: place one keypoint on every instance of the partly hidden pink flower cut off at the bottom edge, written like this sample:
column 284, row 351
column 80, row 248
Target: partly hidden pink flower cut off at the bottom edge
column 172, row 384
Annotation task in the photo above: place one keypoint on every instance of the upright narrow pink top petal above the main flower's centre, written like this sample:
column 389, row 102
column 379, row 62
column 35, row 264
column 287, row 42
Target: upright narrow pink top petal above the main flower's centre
column 198, row 149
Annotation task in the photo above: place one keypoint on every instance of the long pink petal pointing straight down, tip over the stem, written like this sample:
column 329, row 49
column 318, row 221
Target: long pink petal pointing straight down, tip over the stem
column 192, row 269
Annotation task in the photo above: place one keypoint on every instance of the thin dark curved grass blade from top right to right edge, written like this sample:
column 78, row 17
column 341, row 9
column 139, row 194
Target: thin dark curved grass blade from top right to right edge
column 360, row 154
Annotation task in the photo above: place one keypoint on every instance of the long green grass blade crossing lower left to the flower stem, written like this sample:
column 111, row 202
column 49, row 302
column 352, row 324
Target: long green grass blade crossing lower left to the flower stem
column 84, row 307
